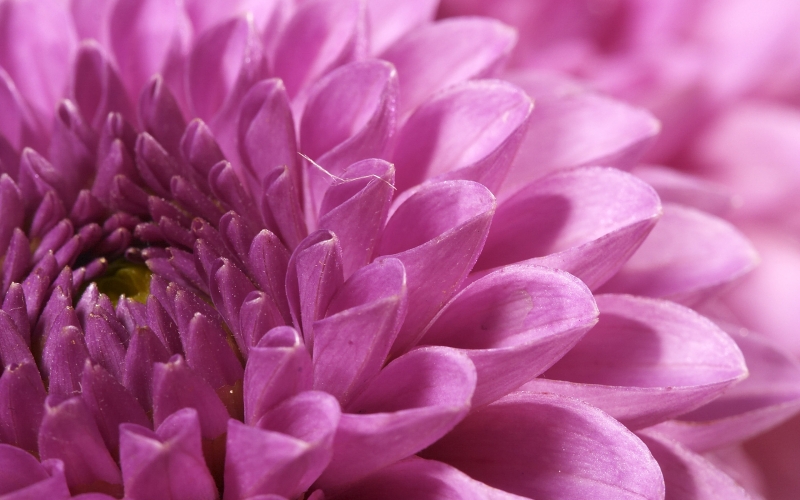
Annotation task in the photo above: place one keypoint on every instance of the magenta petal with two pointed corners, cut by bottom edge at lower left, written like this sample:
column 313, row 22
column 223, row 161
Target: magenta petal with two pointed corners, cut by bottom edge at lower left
column 167, row 463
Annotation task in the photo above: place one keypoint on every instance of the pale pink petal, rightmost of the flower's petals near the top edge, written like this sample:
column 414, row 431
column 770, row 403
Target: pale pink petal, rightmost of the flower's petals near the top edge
column 437, row 55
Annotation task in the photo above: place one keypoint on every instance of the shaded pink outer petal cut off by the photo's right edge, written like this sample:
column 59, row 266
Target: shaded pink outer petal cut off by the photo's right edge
column 769, row 396
